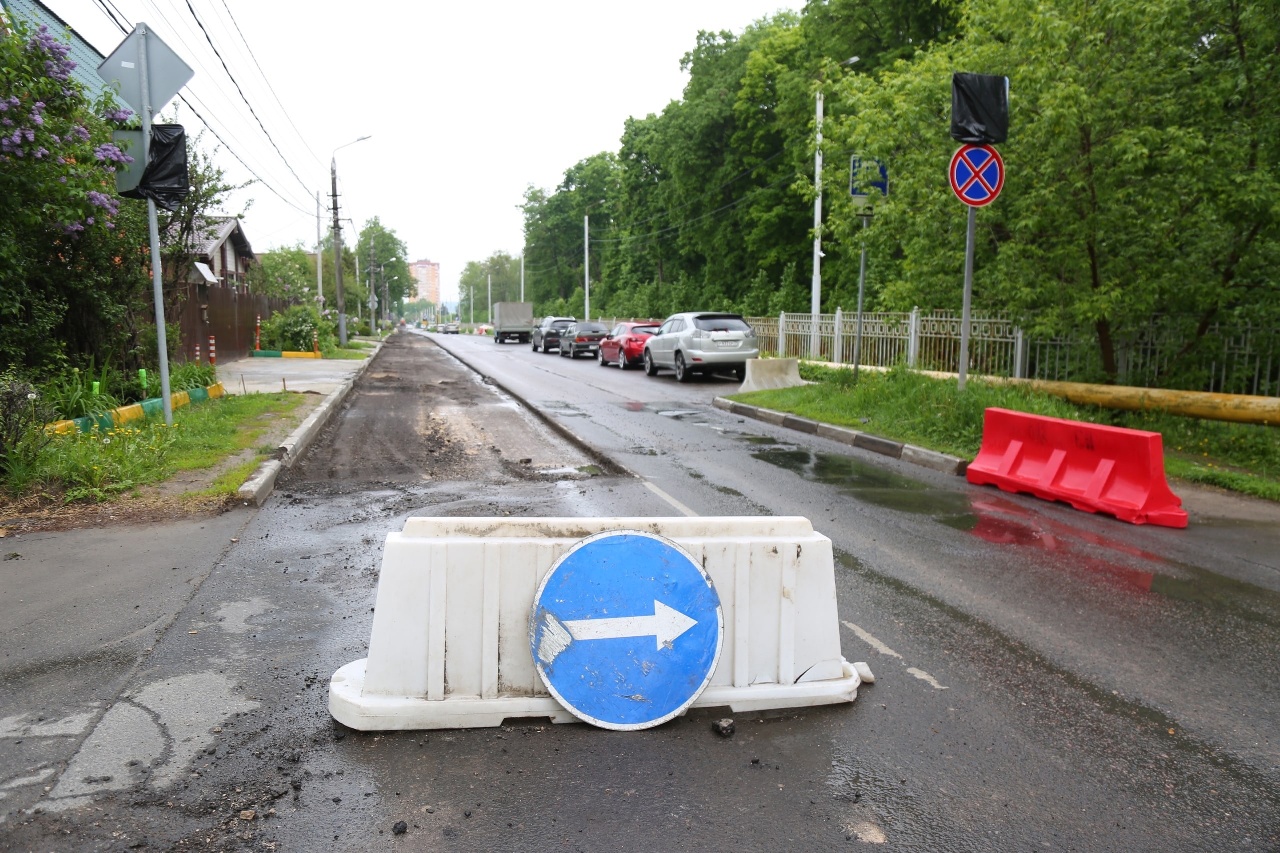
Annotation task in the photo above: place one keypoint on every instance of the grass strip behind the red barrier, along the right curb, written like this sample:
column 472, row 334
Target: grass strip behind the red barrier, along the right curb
column 915, row 409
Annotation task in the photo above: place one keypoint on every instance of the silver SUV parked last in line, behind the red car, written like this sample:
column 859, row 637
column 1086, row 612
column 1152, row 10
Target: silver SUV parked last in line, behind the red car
column 701, row 343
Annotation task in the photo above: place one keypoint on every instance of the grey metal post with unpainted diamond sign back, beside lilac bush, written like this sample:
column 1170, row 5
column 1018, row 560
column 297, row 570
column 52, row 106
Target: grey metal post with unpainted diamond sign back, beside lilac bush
column 149, row 74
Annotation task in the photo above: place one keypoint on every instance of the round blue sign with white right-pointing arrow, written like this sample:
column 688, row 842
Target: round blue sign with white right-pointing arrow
column 627, row 631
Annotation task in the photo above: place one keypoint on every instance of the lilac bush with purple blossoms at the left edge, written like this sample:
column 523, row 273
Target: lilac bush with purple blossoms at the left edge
column 66, row 268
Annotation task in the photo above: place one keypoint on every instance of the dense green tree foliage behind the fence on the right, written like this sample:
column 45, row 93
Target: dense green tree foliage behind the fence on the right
column 1142, row 171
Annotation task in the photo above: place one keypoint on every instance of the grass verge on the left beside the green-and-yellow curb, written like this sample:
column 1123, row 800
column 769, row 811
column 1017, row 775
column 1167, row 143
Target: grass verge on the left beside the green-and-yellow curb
column 100, row 466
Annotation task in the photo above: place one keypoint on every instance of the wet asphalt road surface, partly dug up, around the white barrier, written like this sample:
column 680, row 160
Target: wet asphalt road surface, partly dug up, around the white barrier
column 1045, row 679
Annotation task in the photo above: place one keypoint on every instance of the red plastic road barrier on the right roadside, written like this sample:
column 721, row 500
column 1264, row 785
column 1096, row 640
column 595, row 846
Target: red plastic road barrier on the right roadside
column 1096, row 469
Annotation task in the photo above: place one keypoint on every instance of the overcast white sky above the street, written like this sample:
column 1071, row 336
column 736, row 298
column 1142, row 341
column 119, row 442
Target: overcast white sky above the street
column 467, row 103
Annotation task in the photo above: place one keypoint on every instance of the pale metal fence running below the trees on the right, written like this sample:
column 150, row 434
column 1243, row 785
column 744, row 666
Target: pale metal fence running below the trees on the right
column 1240, row 358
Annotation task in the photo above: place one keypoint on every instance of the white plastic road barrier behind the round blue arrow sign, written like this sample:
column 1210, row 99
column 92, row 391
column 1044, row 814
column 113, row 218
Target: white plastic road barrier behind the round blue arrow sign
column 450, row 646
